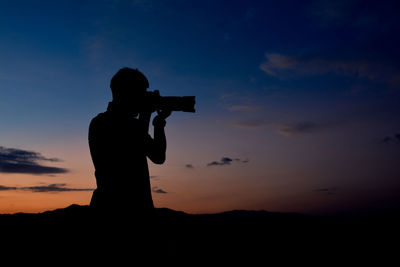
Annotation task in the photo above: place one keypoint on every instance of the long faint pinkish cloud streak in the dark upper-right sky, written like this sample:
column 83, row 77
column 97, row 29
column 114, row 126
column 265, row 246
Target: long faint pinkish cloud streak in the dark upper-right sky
column 283, row 66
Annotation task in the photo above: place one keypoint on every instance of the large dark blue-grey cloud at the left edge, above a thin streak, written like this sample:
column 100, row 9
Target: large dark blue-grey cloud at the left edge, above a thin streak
column 23, row 161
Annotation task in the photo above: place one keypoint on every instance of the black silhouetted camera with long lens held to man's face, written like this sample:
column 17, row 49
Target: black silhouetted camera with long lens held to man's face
column 154, row 101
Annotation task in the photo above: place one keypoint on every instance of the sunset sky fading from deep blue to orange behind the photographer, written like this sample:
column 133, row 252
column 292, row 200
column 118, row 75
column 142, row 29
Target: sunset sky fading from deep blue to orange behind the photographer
column 297, row 101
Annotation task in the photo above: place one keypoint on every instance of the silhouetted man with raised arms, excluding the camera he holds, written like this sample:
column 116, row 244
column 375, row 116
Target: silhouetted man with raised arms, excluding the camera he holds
column 119, row 144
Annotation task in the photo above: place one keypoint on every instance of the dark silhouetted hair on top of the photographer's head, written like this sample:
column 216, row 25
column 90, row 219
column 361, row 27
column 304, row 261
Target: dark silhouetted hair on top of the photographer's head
column 128, row 79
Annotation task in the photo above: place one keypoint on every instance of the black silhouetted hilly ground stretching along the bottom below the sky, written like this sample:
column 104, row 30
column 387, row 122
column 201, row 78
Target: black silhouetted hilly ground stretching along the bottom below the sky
column 170, row 234
